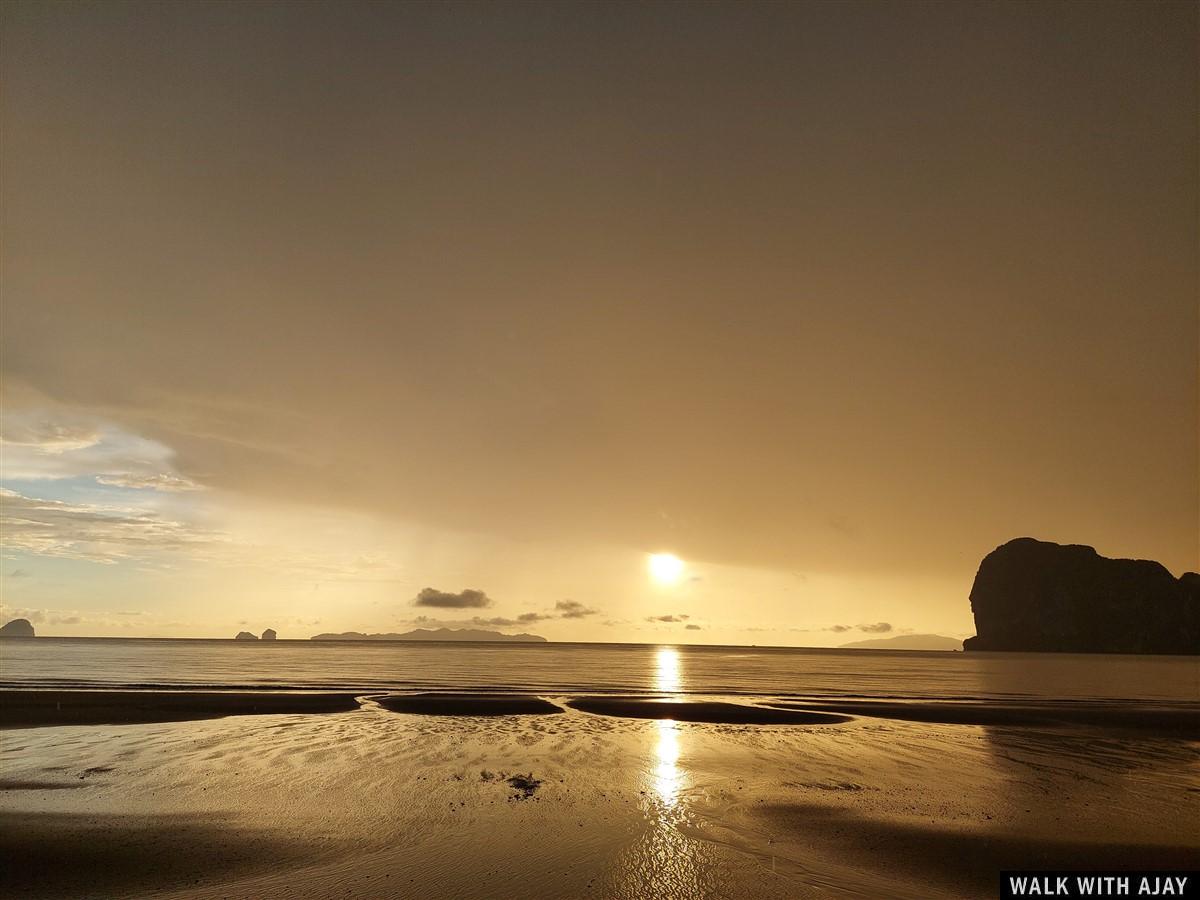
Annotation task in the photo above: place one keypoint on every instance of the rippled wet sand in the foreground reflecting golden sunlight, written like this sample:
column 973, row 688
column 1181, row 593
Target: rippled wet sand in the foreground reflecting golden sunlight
column 380, row 803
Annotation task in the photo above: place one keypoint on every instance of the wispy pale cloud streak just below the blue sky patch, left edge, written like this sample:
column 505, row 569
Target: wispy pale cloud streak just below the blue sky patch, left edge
column 103, row 535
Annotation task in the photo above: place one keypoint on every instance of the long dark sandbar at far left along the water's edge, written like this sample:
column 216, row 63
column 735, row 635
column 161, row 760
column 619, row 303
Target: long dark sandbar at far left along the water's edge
column 33, row 709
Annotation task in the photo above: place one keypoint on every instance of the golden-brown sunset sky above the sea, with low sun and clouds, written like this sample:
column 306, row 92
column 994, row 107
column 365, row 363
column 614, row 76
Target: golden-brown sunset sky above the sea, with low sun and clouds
column 309, row 310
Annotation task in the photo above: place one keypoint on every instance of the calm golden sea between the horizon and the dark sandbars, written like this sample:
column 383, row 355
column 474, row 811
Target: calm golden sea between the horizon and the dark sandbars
column 579, row 668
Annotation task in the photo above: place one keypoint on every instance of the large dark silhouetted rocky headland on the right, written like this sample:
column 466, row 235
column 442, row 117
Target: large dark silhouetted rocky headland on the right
column 1037, row 596
